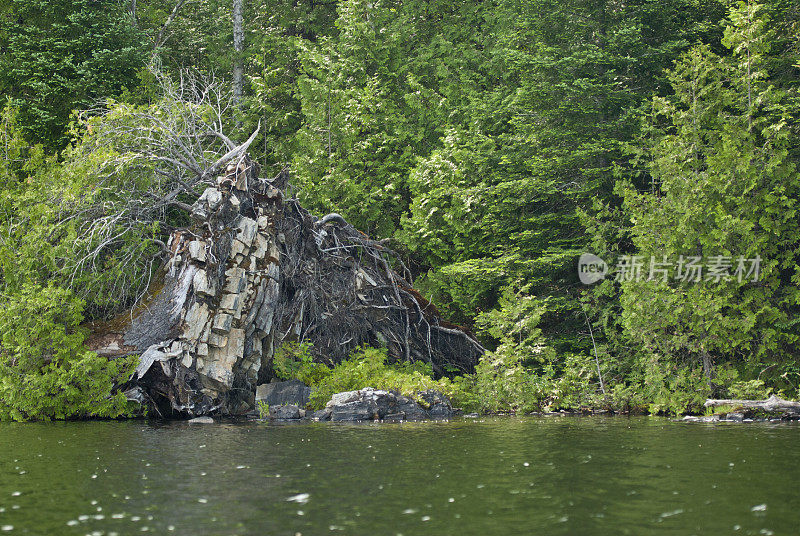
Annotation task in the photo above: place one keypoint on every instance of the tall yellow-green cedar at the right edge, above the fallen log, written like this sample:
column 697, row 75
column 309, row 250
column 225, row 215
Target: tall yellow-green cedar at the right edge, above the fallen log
column 724, row 187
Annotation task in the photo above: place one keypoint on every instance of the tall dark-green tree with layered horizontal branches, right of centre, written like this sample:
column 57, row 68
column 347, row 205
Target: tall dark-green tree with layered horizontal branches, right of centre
column 501, row 199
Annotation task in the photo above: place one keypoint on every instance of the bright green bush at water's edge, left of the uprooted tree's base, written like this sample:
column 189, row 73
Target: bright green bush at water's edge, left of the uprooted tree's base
column 45, row 371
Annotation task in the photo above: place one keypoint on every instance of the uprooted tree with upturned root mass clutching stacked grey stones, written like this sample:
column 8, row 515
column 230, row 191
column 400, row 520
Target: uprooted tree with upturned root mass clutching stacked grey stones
column 248, row 270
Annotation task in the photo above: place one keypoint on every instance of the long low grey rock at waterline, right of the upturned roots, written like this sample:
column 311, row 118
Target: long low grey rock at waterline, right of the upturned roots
column 375, row 404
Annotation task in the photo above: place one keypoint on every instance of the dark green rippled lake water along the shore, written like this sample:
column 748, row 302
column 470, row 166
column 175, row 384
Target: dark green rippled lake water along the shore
column 494, row 476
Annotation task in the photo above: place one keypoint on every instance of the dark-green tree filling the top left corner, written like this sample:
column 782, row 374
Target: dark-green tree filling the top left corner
column 59, row 55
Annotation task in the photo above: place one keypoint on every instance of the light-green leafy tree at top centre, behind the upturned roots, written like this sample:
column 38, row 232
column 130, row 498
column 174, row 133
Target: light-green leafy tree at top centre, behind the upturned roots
column 376, row 96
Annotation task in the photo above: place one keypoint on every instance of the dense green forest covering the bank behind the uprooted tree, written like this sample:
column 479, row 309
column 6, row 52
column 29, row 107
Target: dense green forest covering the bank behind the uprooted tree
column 492, row 143
